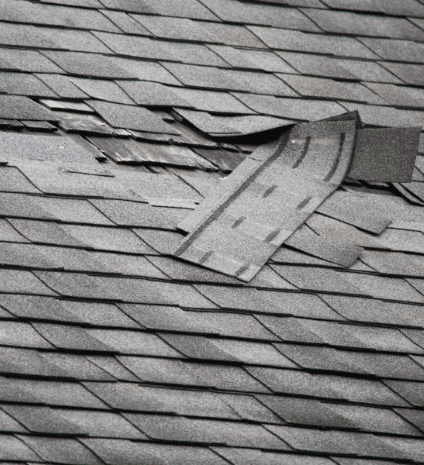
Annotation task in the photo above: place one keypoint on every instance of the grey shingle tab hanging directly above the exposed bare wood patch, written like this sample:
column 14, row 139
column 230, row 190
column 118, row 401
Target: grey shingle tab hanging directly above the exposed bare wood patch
column 131, row 117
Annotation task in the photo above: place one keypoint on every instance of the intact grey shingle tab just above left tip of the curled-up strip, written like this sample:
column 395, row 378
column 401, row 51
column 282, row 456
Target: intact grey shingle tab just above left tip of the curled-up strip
column 152, row 94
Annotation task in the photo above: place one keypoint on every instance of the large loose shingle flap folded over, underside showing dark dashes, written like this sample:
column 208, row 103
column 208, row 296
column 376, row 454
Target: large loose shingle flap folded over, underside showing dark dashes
column 267, row 198
